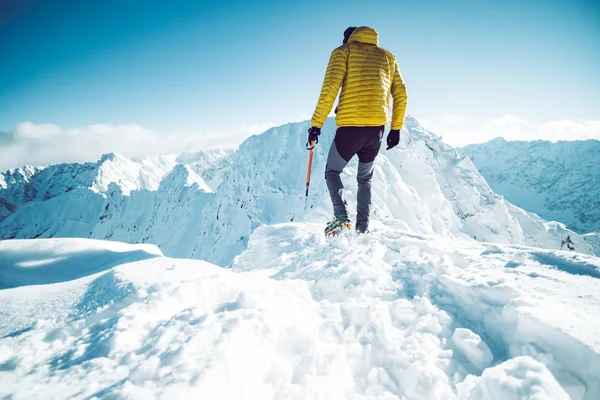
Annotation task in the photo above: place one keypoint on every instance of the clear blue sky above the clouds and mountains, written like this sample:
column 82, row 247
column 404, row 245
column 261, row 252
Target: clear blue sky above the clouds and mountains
column 220, row 66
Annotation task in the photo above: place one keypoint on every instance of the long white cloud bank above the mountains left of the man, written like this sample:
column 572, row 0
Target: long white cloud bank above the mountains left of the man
column 43, row 144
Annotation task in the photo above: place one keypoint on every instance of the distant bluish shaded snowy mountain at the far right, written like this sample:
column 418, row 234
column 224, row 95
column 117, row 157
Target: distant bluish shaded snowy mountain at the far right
column 558, row 181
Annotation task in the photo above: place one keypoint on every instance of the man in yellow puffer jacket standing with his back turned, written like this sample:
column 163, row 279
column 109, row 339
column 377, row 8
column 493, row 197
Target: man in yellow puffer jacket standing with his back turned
column 367, row 75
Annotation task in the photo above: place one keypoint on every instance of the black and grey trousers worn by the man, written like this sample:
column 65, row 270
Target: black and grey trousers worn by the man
column 364, row 141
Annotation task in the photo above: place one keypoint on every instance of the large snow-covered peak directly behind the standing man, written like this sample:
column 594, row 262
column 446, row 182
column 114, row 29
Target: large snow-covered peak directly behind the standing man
column 424, row 184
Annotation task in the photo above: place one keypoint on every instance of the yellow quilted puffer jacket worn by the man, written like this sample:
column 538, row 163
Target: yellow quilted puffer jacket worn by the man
column 367, row 75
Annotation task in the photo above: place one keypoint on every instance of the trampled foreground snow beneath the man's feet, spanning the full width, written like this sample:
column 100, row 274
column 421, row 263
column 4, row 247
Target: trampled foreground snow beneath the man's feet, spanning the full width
column 390, row 315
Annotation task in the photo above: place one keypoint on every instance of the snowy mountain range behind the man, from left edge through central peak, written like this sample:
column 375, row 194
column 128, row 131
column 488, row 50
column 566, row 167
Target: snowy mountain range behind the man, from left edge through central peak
column 207, row 205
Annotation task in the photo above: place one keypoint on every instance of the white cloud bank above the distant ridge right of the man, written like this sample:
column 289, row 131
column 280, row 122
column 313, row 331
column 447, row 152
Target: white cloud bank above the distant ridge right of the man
column 512, row 127
